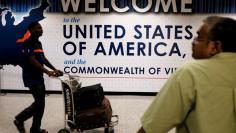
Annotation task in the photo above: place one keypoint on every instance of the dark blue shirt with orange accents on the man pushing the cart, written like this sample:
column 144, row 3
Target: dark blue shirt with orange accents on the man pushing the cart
column 31, row 75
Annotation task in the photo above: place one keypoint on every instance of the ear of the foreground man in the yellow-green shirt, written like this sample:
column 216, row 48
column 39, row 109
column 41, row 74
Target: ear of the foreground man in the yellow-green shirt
column 215, row 47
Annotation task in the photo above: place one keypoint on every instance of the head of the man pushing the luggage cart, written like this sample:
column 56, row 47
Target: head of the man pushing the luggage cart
column 35, row 29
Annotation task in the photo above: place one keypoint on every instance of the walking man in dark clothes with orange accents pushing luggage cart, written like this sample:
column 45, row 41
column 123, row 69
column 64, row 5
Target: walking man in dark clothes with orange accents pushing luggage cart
column 33, row 69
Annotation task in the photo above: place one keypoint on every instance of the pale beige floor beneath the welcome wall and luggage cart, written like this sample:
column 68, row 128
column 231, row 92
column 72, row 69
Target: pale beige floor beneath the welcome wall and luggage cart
column 129, row 109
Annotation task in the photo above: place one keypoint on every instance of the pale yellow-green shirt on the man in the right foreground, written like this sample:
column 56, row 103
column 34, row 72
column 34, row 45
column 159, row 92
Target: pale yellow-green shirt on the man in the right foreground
column 200, row 97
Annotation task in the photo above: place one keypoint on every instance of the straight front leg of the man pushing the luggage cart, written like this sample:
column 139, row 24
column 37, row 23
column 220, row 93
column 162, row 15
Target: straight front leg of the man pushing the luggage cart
column 39, row 105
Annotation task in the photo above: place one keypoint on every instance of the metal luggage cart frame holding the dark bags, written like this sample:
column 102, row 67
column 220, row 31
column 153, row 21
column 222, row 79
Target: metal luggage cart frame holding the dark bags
column 69, row 85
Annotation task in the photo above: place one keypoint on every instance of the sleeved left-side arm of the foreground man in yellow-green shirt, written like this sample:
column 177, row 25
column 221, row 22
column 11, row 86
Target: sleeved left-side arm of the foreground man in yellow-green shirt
column 171, row 105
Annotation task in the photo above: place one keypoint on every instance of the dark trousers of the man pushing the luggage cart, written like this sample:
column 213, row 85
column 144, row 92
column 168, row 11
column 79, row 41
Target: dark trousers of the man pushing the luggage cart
column 36, row 109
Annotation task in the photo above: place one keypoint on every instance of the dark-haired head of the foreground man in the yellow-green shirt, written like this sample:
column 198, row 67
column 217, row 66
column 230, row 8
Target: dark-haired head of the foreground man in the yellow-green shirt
column 214, row 36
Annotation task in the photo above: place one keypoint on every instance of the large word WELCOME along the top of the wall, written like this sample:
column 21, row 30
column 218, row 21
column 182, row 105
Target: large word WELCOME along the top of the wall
column 175, row 6
